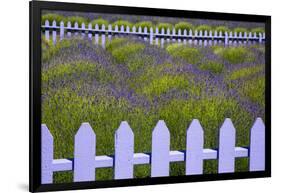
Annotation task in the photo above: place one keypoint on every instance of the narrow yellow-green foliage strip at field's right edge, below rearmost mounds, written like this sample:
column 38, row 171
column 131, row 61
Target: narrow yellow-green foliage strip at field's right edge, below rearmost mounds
column 244, row 72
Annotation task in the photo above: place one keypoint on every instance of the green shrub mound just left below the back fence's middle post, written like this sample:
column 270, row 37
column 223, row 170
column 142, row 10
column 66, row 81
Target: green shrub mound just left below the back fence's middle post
column 122, row 53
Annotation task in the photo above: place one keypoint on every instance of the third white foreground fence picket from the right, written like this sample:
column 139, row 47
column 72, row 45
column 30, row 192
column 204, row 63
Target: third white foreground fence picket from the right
column 194, row 148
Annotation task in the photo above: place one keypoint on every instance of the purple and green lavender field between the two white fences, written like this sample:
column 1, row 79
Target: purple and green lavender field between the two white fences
column 141, row 83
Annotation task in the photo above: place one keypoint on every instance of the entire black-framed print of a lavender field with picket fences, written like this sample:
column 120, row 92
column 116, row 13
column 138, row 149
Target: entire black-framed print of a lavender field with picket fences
column 123, row 96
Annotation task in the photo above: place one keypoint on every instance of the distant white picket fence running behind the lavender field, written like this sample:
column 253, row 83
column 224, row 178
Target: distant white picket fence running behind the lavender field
column 157, row 37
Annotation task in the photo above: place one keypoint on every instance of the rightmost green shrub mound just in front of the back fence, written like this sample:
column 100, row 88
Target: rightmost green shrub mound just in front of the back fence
column 235, row 55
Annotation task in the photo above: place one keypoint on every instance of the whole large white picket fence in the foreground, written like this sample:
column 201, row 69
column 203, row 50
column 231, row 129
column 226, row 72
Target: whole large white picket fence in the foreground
column 85, row 160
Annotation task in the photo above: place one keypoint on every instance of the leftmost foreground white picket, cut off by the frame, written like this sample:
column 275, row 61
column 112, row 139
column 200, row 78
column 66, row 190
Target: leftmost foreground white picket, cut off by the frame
column 47, row 153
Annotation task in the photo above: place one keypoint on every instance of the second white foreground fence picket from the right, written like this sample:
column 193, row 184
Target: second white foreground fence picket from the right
column 227, row 147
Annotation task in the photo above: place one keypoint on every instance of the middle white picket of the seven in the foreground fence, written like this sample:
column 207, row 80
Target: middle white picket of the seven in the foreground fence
column 160, row 150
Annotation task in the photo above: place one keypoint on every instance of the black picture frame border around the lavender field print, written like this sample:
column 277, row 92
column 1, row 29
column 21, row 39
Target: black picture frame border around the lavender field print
column 35, row 94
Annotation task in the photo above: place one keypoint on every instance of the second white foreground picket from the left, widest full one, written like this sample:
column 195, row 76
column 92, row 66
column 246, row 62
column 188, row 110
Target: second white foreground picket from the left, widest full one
column 84, row 154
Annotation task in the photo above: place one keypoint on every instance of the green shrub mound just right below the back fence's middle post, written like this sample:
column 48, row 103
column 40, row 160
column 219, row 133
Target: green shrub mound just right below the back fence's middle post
column 189, row 54
